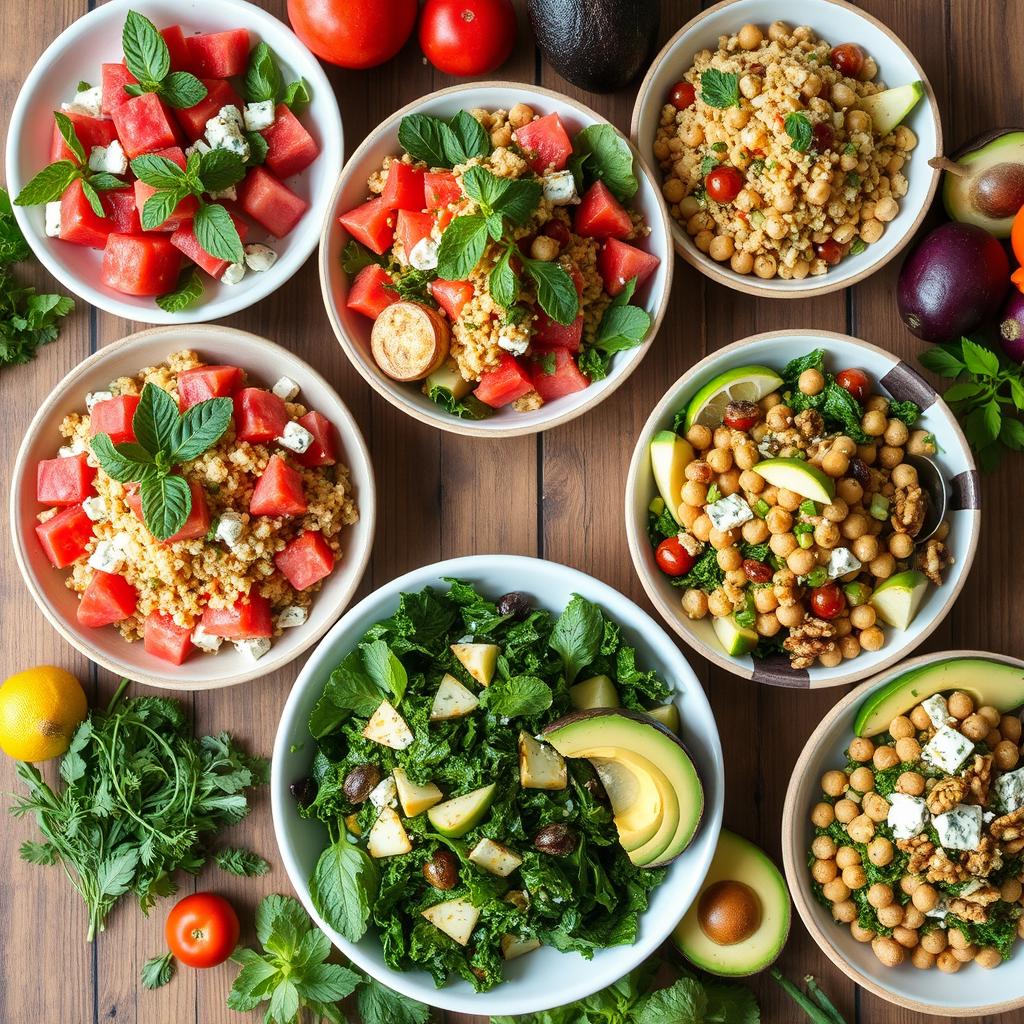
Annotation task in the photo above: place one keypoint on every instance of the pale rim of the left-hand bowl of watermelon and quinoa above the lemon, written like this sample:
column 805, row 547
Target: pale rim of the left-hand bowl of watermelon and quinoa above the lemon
column 353, row 441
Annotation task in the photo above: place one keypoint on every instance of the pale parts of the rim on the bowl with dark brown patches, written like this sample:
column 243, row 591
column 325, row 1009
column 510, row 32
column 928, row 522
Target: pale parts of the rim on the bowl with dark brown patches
column 638, row 542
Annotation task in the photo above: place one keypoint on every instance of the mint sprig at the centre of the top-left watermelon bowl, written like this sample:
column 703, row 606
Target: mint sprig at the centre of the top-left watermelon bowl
column 204, row 174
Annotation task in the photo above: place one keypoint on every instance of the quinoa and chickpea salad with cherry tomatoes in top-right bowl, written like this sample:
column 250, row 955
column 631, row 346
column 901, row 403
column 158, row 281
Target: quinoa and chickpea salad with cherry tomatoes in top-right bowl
column 781, row 154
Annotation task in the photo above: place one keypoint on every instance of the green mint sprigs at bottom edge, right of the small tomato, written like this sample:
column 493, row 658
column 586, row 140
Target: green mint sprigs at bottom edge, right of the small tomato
column 291, row 974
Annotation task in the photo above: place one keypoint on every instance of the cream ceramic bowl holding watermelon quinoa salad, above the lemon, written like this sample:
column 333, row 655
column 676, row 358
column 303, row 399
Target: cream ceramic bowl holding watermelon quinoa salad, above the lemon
column 266, row 363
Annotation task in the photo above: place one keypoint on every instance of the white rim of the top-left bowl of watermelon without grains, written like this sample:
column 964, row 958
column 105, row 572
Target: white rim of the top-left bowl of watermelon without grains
column 329, row 122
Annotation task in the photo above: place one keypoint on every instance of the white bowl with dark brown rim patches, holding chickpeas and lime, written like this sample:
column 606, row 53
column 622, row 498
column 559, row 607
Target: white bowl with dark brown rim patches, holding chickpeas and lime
column 893, row 377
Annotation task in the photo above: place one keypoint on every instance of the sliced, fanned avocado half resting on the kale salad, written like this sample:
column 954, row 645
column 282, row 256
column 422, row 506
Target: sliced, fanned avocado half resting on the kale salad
column 652, row 782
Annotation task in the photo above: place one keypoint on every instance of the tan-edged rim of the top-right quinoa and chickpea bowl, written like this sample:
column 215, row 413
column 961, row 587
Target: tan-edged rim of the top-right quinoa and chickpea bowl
column 828, row 282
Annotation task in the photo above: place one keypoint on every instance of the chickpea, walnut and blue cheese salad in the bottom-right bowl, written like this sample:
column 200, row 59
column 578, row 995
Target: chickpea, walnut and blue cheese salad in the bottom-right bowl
column 919, row 841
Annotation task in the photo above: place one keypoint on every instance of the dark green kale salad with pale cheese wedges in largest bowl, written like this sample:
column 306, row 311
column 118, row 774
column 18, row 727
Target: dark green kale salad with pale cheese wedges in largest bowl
column 439, row 837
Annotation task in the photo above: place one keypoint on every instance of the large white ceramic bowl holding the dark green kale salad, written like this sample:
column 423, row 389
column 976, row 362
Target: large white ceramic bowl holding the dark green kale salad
column 545, row 978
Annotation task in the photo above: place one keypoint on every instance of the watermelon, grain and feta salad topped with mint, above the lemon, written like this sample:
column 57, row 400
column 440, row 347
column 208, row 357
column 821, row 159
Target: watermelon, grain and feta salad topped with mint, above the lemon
column 191, row 505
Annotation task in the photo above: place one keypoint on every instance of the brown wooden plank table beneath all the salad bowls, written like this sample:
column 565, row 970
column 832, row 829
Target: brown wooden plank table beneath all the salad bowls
column 558, row 496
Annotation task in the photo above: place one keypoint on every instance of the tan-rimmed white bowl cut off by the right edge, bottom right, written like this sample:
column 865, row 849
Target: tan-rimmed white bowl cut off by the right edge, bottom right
column 973, row 992
